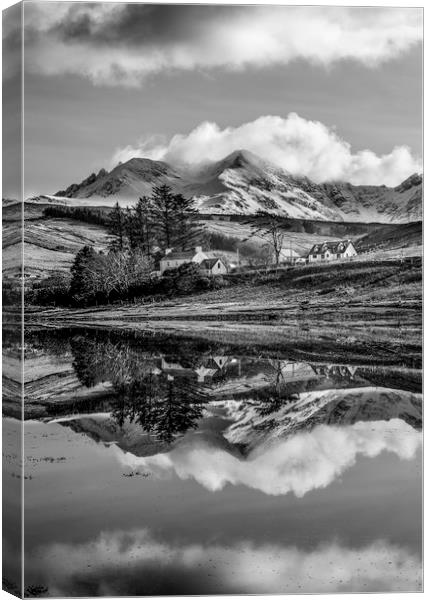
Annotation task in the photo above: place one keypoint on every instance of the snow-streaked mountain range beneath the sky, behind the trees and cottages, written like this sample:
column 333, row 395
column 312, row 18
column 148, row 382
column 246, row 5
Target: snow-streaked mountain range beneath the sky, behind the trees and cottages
column 243, row 183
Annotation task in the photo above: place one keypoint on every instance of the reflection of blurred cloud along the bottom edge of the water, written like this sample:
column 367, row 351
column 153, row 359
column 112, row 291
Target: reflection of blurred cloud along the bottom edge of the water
column 134, row 563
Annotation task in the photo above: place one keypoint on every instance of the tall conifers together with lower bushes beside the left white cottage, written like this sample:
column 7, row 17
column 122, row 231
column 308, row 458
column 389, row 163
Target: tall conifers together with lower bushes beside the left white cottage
column 139, row 236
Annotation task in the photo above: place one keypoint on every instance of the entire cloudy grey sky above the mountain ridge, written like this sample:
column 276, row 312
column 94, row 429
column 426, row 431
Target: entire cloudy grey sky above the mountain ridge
column 330, row 93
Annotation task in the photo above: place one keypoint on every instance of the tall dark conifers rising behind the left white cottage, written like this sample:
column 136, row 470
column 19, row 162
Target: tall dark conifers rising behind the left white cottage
column 163, row 220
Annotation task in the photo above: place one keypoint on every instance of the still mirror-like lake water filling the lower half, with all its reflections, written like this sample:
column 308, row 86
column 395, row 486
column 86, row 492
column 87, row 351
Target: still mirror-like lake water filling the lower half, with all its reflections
column 163, row 466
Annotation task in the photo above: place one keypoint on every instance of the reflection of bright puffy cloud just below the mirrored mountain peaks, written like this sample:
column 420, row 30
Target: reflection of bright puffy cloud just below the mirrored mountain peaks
column 299, row 464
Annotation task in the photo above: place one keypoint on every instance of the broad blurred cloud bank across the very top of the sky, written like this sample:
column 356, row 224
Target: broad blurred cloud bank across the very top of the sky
column 123, row 44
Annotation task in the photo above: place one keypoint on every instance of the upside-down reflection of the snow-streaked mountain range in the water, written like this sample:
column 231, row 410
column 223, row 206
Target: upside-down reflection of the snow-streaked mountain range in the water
column 241, row 426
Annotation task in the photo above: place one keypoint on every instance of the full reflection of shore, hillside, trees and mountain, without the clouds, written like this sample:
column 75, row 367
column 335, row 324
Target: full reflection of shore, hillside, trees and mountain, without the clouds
column 145, row 395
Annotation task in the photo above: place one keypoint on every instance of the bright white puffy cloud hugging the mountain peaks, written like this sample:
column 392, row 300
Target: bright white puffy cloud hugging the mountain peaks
column 300, row 146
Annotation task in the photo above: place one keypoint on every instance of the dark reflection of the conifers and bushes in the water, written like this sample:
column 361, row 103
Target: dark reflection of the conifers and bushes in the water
column 162, row 405
